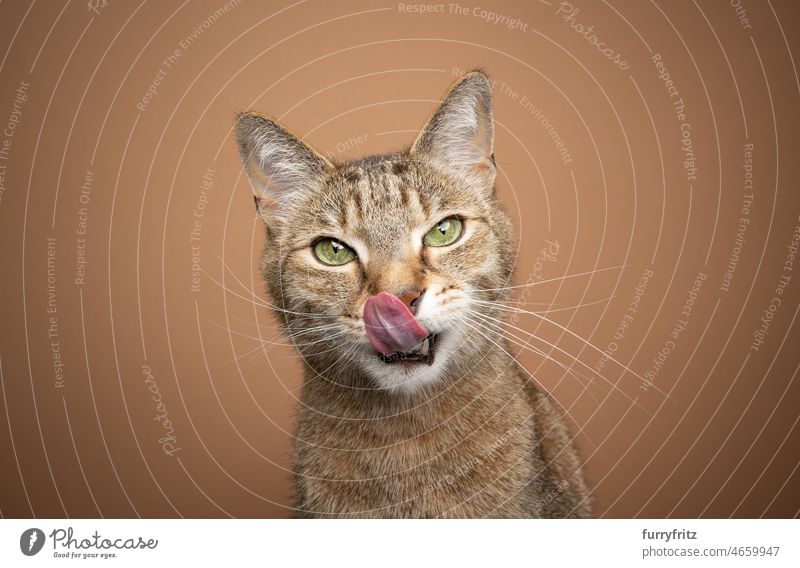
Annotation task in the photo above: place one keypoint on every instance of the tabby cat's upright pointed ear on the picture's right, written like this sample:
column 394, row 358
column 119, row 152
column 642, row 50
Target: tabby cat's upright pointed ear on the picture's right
column 460, row 134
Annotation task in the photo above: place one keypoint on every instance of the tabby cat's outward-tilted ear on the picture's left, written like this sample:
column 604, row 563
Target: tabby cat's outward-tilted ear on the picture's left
column 276, row 162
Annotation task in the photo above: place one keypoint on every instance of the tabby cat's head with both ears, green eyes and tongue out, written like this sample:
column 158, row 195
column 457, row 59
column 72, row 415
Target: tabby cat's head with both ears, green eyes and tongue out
column 417, row 238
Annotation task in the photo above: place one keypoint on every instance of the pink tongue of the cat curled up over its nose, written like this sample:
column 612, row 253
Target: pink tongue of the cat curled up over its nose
column 390, row 325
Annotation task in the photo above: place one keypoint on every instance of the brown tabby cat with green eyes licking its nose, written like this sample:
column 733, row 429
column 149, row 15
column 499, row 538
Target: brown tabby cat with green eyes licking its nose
column 384, row 272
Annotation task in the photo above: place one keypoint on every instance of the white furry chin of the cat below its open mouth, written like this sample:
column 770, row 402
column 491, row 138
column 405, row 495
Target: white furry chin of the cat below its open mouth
column 409, row 373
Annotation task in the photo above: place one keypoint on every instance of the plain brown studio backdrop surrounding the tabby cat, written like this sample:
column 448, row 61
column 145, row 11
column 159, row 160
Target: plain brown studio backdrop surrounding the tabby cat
column 715, row 436
